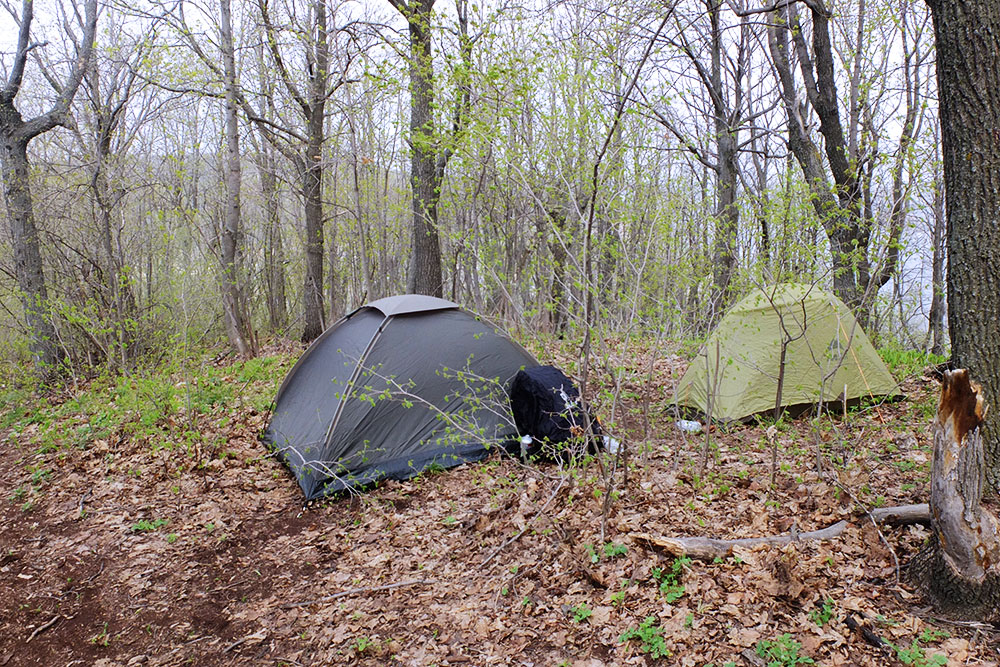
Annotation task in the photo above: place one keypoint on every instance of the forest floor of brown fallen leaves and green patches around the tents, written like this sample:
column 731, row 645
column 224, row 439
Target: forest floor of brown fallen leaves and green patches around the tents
column 139, row 528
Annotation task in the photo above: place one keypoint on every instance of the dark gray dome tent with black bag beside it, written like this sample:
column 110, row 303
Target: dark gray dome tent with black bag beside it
column 397, row 386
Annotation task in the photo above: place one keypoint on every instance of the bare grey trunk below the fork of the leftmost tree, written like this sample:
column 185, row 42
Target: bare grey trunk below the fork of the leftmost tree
column 27, row 249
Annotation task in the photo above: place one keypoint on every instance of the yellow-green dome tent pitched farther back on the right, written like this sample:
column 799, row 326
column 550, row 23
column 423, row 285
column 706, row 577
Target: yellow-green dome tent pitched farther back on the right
column 826, row 355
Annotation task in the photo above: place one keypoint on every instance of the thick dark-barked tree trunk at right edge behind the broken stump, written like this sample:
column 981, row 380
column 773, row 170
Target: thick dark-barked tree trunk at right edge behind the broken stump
column 968, row 63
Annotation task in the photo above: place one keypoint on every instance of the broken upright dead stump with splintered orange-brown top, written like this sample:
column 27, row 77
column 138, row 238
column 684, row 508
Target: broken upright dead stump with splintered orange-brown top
column 959, row 568
